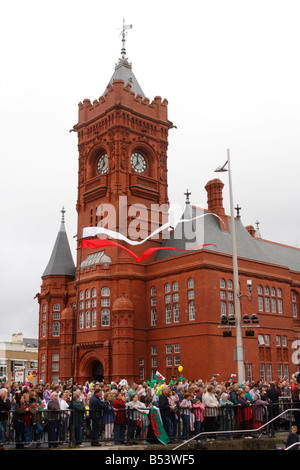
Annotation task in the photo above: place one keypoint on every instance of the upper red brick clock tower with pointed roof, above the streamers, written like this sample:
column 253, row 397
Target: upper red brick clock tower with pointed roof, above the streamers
column 122, row 143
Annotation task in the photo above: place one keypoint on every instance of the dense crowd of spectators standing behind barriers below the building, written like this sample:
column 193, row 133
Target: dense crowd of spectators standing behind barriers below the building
column 97, row 413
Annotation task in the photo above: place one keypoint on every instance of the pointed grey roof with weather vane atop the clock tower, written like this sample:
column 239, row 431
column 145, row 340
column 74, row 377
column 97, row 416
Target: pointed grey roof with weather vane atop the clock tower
column 123, row 69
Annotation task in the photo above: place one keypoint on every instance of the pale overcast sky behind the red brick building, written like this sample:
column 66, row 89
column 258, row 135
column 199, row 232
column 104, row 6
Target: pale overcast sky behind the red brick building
column 230, row 72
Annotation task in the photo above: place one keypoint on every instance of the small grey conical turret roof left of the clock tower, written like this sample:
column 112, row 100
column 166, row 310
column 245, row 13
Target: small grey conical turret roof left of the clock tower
column 61, row 261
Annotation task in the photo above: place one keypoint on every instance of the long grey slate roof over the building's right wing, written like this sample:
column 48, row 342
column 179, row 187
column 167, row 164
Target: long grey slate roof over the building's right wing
column 207, row 229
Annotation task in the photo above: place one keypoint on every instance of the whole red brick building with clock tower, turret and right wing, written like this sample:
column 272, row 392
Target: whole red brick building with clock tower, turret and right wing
column 129, row 319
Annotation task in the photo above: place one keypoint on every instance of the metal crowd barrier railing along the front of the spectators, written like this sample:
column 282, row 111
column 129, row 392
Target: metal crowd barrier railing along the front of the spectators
column 126, row 426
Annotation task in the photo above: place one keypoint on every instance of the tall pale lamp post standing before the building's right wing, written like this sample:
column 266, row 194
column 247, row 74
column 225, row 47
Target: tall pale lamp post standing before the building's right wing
column 237, row 304
